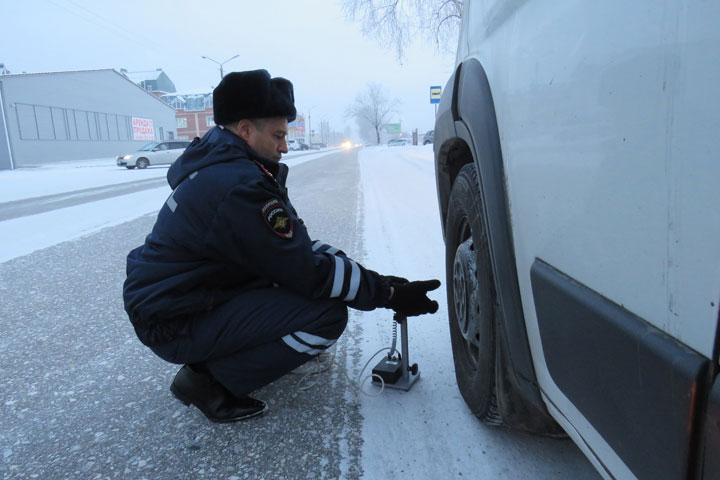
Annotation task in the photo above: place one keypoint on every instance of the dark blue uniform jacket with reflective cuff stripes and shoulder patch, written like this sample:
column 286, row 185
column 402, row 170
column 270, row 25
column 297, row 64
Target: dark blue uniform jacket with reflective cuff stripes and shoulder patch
column 228, row 227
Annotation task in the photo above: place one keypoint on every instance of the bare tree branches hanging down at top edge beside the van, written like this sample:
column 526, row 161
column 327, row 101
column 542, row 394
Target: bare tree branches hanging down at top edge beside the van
column 395, row 22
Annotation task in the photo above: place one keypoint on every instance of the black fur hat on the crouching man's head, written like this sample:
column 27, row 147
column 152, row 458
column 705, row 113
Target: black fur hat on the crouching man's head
column 252, row 94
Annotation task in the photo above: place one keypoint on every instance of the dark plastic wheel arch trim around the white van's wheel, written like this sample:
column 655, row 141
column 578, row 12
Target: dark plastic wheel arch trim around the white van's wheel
column 476, row 139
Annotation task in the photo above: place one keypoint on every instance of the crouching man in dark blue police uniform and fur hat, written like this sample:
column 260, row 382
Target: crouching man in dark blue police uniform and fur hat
column 228, row 282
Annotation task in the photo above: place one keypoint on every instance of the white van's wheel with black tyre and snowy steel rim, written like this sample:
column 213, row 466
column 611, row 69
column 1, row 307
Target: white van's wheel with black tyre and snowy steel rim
column 472, row 302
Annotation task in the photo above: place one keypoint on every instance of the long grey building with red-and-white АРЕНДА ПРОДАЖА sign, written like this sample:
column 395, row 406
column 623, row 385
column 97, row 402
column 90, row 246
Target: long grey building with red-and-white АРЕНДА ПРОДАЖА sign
column 61, row 116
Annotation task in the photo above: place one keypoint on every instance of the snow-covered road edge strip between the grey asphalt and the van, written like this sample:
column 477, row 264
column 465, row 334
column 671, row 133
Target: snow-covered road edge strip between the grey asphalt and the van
column 429, row 432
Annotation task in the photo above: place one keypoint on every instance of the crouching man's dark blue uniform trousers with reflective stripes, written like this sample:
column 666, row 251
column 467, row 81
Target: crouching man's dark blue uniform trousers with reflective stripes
column 257, row 337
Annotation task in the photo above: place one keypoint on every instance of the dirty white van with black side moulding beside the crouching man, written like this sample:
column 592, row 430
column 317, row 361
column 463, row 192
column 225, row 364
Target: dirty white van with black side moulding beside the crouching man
column 578, row 174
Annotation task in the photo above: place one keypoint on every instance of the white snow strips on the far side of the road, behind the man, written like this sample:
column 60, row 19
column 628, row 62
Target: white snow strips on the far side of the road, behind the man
column 34, row 232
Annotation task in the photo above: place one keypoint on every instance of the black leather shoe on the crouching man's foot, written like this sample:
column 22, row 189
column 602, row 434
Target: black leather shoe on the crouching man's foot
column 214, row 400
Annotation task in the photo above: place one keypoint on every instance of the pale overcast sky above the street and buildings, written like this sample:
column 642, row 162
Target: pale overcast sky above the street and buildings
column 311, row 43
